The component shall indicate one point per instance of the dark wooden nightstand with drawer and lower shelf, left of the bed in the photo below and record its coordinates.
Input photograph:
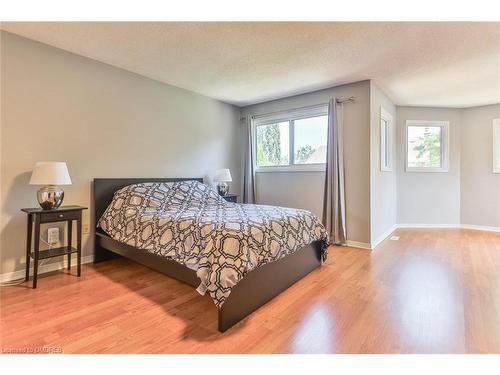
(39, 216)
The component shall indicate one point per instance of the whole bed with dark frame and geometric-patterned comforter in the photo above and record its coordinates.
(132, 215)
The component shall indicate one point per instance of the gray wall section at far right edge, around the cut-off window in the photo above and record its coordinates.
(480, 187)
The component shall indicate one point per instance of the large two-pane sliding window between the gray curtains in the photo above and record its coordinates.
(293, 140)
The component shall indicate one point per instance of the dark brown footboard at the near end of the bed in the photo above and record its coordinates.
(264, 283)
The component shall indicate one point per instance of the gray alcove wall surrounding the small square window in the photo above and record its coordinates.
(429, 198)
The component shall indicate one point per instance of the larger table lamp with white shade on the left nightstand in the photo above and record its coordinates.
(50, 174)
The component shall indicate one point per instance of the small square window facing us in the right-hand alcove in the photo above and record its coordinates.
(426, 146)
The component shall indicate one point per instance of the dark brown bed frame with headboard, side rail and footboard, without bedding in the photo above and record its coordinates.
(254, 290)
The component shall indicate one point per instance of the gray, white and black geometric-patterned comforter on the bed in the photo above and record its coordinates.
(189, 222)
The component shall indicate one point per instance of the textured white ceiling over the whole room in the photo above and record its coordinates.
(418, 64)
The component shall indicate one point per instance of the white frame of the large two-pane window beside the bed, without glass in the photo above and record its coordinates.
(291, 116)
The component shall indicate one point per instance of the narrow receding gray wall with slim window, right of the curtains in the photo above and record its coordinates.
(382, 184)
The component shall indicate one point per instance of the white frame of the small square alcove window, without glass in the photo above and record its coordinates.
(445, 148)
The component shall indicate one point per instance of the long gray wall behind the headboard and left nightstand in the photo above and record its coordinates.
(104, 122)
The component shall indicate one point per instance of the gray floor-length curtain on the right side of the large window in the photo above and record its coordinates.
(334, 199)
